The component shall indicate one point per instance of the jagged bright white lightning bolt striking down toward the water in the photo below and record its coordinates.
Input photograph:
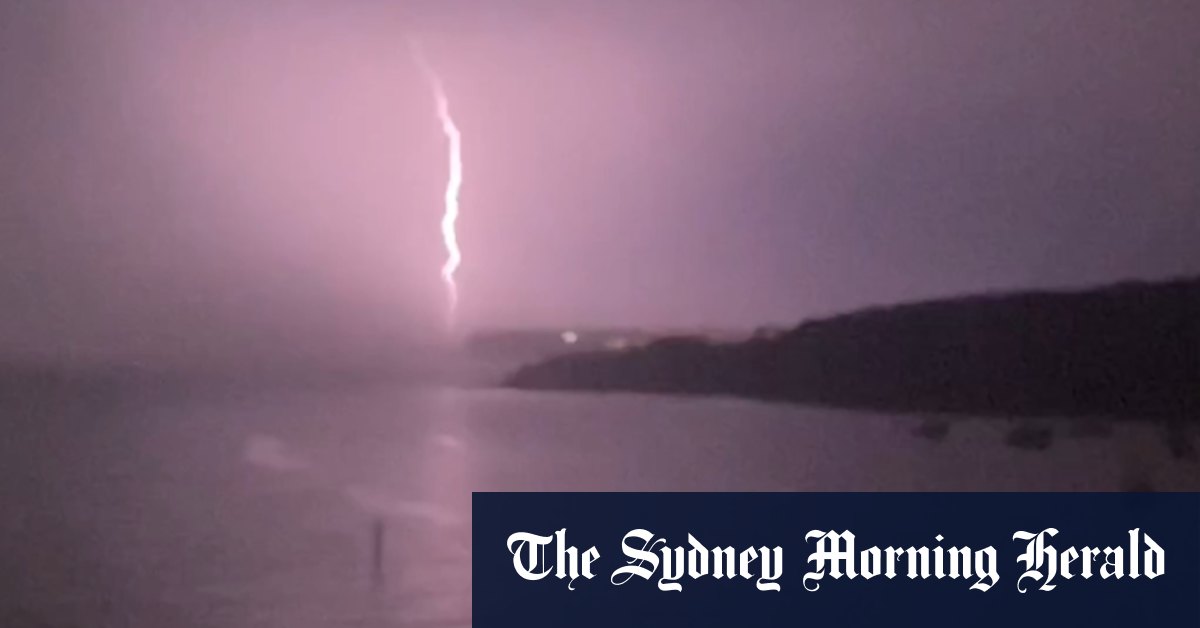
(454, 182)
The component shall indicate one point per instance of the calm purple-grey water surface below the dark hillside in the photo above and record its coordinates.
(255, 510)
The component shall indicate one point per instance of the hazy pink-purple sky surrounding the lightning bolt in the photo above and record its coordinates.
(191, 180)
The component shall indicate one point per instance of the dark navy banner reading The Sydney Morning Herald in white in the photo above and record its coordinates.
(736, 560)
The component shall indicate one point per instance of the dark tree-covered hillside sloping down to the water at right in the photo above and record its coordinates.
(1130, 350)
